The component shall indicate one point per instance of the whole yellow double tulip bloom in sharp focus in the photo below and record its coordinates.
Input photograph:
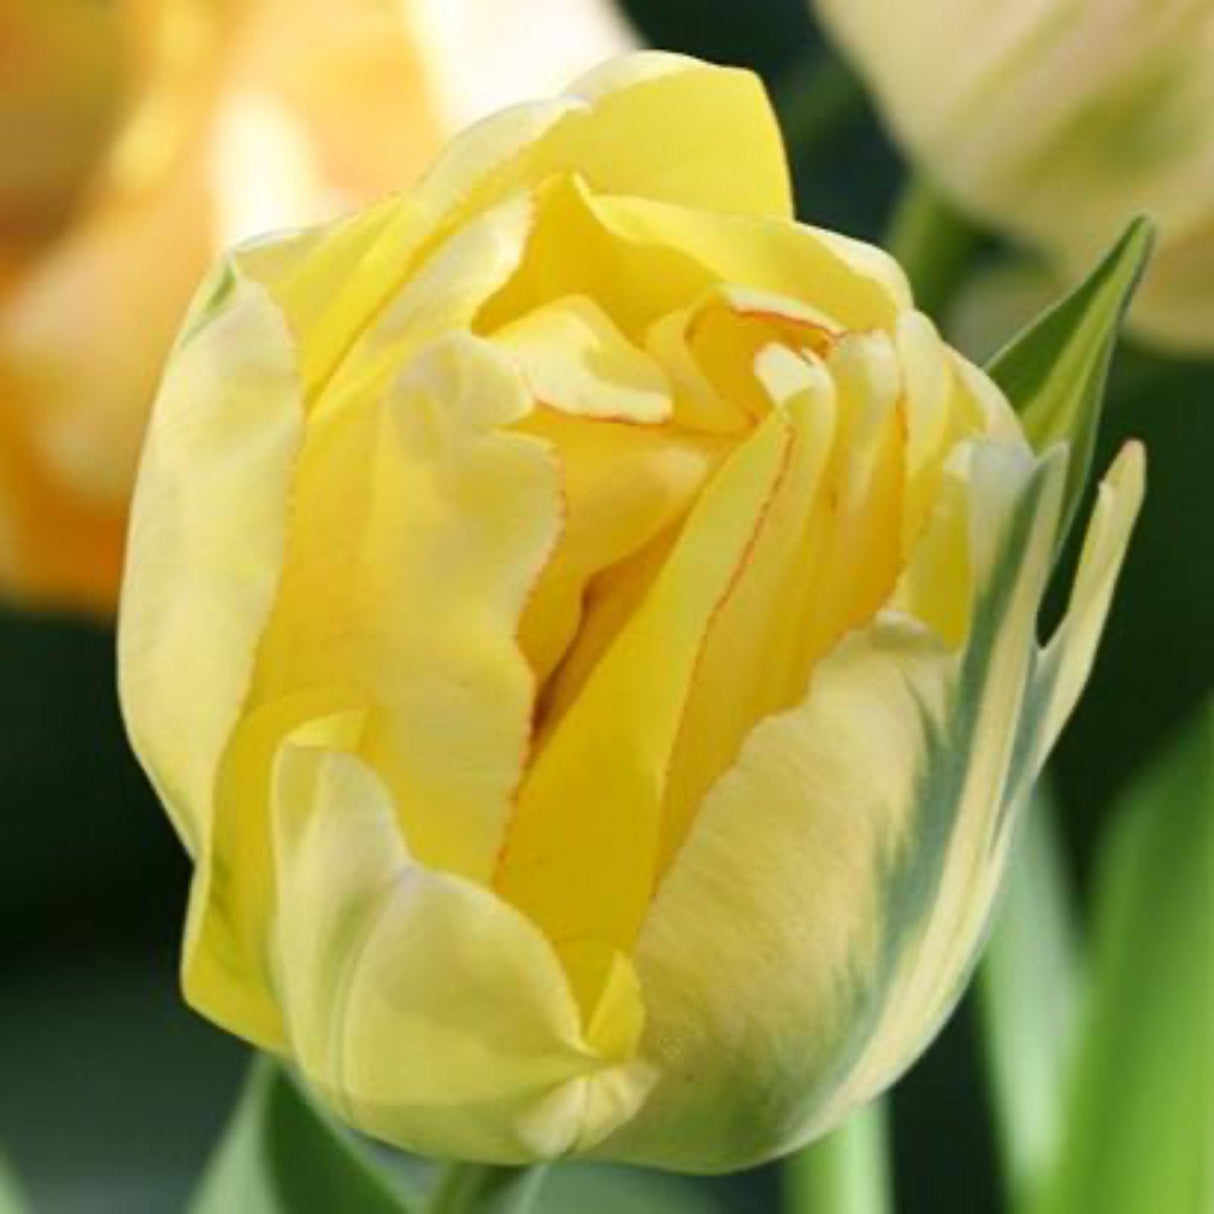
(581, 622)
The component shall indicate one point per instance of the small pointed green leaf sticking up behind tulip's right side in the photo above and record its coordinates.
(1056, 371)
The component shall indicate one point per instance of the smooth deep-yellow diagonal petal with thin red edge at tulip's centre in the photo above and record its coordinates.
(582, 849)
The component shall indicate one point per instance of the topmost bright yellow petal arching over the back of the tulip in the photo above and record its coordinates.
(616, 128)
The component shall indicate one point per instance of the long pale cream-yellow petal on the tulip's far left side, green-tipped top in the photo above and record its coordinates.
(208, 537)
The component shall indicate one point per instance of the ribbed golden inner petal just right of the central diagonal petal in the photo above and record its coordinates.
(825, 560)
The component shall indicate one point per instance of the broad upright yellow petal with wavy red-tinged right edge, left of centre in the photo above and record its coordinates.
(409, 597)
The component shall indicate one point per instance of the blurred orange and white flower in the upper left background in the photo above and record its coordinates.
(137, 140)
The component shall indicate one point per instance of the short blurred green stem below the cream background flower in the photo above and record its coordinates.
(934, 243)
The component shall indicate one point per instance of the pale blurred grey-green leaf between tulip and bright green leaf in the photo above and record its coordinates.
(1030, 985)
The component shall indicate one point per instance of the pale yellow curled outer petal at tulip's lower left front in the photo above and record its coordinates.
(428, 1011)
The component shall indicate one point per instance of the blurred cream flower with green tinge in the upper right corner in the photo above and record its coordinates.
(1058, 121)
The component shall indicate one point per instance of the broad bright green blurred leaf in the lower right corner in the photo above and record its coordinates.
(1141, 1125)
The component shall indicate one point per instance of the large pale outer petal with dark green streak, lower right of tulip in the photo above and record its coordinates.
(842, 872)
